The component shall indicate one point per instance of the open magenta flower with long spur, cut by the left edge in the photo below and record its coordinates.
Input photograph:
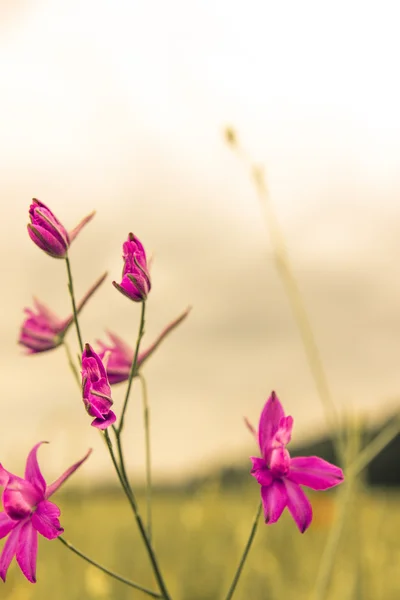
(27, 512)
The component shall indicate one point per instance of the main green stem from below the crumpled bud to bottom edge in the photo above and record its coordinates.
(121, 472)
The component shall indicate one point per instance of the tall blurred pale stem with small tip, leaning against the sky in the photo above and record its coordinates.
(285, 271)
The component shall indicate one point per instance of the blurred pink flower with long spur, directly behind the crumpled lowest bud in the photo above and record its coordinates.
(120, 355)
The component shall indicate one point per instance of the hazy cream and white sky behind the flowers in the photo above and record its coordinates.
(120, 106)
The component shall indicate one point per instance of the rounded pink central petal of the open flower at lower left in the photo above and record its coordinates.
(20, 497)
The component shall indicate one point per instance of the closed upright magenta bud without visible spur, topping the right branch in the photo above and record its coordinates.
(135, 282)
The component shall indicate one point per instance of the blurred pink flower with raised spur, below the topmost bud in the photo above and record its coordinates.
(42, 330)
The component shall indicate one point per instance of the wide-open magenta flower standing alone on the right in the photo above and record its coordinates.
(281, 476)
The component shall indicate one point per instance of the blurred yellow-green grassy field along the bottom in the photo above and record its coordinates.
(199, 539)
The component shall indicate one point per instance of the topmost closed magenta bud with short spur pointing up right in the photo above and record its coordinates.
(46, 231)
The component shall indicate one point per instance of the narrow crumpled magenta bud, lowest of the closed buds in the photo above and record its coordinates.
(96, 391)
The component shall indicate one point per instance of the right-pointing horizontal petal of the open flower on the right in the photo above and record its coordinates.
(314, 472)
